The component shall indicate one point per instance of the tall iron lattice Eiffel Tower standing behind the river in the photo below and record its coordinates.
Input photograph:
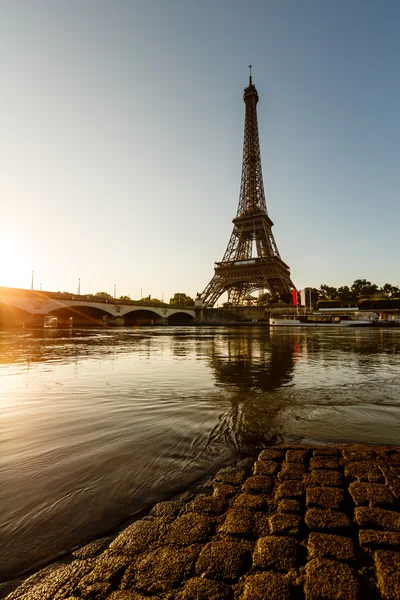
(251, 261)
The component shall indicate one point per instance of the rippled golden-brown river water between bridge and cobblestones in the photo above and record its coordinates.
(97, 425)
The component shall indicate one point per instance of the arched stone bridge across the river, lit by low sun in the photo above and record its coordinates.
(31, 308)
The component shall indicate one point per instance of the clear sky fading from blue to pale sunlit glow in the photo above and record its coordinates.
(122, 129)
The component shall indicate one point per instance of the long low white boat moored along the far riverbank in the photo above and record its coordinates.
(321, 320)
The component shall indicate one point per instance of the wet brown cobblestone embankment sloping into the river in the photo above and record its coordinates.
(298, 522)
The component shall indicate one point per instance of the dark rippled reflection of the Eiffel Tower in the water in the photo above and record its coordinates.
(257, 372)
